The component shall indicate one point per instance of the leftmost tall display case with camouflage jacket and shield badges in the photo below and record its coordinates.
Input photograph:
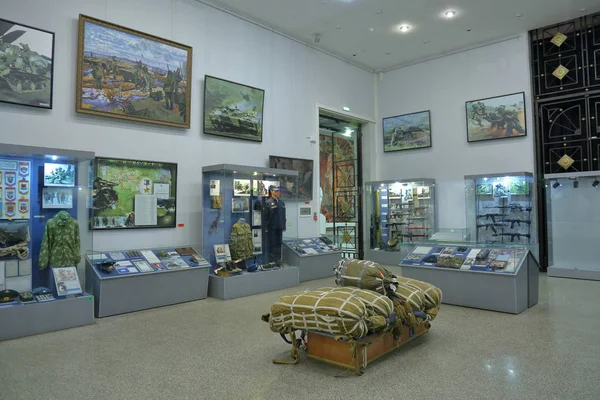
(44, 217)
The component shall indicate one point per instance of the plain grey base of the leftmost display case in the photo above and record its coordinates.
(18, 320)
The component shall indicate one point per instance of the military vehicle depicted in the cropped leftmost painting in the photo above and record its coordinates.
(23, 70)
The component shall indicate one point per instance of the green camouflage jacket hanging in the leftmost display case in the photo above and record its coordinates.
(60, 243)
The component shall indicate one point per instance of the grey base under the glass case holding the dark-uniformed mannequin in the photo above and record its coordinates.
(251, 283)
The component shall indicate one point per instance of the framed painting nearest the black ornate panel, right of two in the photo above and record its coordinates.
(496, 118)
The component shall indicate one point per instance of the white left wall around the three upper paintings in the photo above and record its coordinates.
(294, 77)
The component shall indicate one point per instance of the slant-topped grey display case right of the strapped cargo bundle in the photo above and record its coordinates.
(505, 280)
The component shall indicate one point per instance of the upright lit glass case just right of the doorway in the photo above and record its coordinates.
(400, 211)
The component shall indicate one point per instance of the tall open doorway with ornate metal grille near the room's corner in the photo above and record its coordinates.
(340, 183)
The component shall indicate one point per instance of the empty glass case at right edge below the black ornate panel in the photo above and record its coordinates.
(573, 220)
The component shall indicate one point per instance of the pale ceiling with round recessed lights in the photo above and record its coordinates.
(365, 32)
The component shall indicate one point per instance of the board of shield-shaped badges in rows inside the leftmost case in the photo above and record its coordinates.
(15, 189)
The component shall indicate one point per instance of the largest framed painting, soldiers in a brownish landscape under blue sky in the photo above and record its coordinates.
(127, 74)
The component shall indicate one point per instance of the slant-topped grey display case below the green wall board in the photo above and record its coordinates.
(122, 292)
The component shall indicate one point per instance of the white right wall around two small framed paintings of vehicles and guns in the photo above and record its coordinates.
(442, 86)
